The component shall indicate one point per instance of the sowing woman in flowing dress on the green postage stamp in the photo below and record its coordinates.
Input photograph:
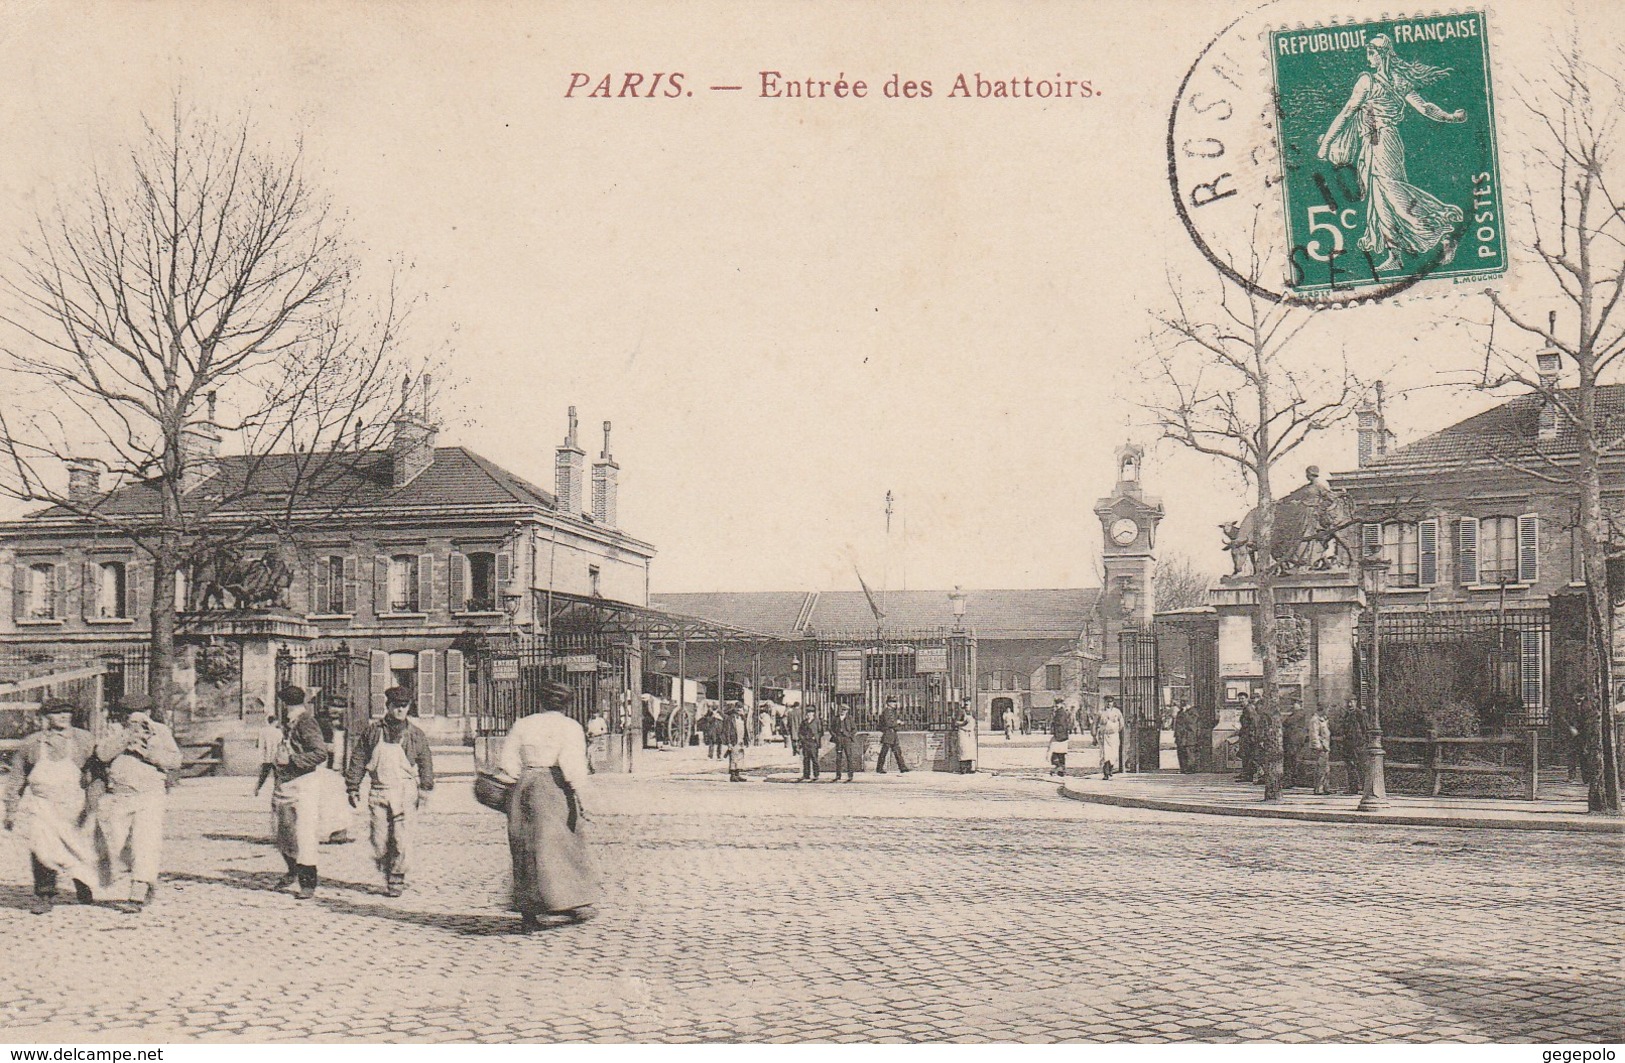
(1366, 136)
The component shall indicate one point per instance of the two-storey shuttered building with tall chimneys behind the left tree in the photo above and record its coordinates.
(407, 560)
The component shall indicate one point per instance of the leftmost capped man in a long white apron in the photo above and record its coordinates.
(45, 801)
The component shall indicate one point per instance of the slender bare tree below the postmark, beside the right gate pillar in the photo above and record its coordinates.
(1221, 383)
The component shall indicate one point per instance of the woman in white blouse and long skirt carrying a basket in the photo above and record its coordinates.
(545, 758)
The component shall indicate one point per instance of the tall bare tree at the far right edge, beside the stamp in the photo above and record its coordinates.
(1579, 223)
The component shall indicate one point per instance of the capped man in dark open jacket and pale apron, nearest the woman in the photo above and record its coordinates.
(394, 755)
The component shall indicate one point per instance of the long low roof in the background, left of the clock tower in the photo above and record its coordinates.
(1059, 614)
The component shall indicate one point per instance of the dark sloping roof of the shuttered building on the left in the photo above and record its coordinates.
(457, 477)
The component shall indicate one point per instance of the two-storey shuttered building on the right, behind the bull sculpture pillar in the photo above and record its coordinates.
(1480, 527)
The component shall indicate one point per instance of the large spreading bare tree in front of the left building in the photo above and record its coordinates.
(196, 293)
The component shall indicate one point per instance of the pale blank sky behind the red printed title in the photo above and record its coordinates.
(787, 308)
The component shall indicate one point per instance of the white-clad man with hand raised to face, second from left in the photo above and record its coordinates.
(139, 755)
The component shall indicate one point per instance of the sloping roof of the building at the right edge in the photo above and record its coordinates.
(1506, 433)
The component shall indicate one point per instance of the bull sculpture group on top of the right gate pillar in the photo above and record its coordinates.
(1312, 534)
